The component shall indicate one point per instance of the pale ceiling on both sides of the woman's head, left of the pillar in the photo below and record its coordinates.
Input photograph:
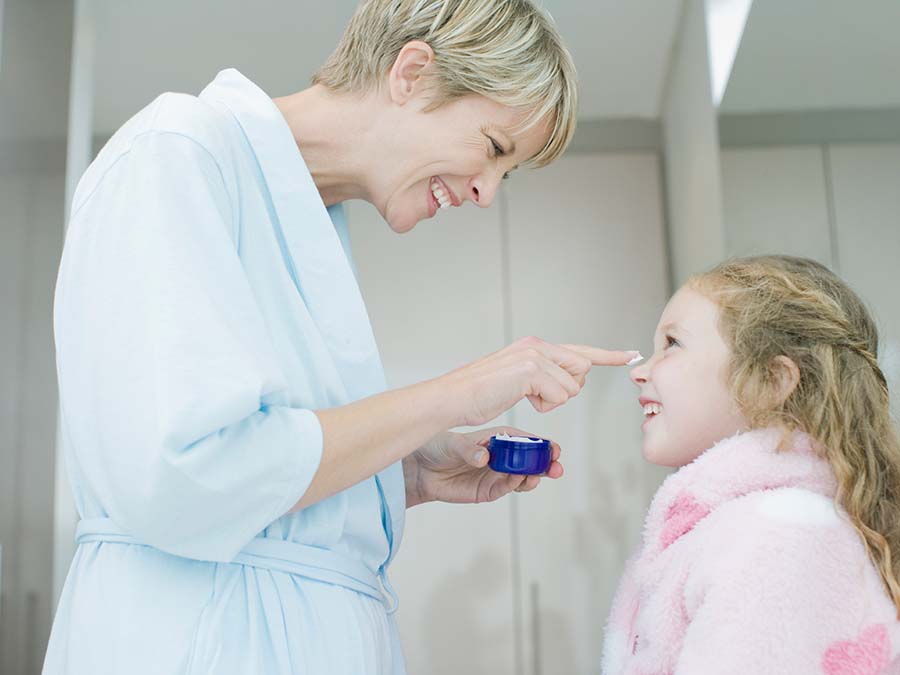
(621, 48)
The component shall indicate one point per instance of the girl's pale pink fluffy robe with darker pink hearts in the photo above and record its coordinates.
(747, 565)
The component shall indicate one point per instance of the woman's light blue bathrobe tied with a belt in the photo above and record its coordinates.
(206, 304)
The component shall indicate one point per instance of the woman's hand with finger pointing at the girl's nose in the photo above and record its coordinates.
(546, 374)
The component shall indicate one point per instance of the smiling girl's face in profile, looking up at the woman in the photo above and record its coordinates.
(683, 387)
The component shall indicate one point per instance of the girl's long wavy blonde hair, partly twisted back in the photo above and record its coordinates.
(773, 306)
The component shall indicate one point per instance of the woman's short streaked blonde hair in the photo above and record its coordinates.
(506, 50)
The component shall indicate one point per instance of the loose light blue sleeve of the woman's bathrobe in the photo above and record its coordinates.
(173, 399)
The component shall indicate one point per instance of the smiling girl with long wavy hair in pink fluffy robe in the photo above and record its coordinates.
(775, 548)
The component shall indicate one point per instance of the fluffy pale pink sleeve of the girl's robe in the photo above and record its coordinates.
(772, 595)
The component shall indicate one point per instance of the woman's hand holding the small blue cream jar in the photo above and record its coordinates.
(453, 467)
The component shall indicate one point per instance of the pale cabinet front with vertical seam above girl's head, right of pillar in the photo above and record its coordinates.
(839, 204)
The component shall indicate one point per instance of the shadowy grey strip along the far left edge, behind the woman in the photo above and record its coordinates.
(33, 95)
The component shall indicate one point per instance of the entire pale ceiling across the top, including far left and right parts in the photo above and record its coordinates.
(794, 55)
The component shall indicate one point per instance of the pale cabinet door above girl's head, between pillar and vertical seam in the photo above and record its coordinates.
(774, 201)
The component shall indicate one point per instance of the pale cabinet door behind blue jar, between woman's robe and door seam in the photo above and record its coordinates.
(434, 298)
